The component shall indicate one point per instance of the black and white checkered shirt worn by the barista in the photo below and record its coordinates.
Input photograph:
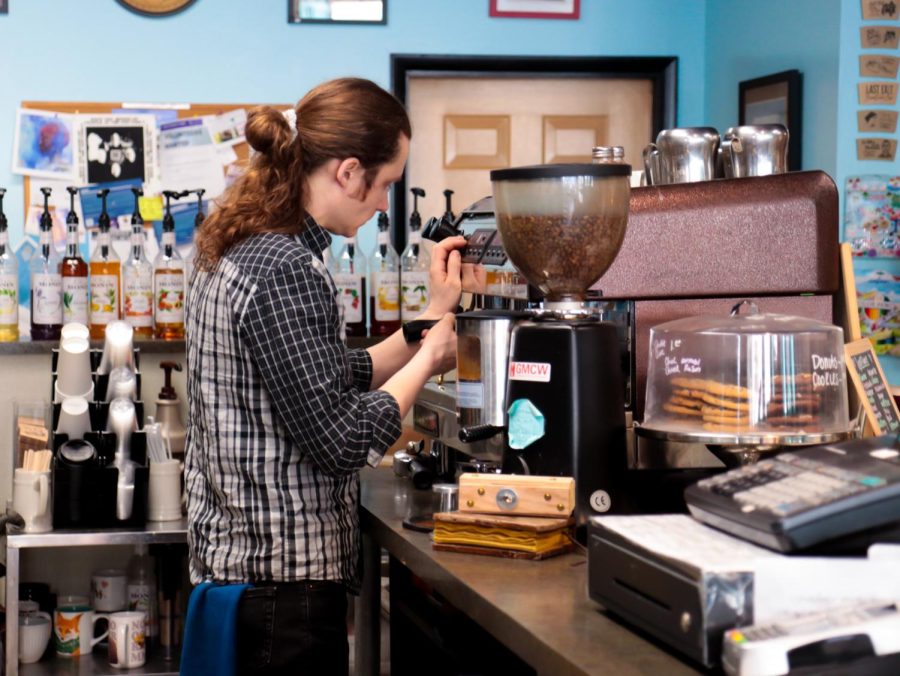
(281, 417)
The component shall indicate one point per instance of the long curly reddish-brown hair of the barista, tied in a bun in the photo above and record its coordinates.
(347, 117)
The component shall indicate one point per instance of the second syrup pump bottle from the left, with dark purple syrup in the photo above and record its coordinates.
(46, 283)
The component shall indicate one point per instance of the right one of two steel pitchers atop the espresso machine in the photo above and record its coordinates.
(755, 150)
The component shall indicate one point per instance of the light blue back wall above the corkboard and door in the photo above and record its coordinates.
(243, 51)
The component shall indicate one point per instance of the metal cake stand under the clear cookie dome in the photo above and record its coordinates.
(744, 448)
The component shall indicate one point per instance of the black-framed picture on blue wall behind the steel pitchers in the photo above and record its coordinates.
(775, 99)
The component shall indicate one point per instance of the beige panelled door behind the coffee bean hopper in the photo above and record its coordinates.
(626, 105)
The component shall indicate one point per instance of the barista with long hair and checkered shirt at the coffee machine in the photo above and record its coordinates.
(282, 414)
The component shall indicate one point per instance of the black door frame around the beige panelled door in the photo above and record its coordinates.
(662, 71)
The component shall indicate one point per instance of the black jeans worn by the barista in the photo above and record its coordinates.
(293, 628)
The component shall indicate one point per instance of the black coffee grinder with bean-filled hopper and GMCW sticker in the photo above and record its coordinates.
(549, 378)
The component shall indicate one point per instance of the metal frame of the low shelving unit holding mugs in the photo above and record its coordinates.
(161, 532)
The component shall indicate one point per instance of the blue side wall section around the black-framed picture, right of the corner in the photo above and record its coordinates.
(746, 39)
